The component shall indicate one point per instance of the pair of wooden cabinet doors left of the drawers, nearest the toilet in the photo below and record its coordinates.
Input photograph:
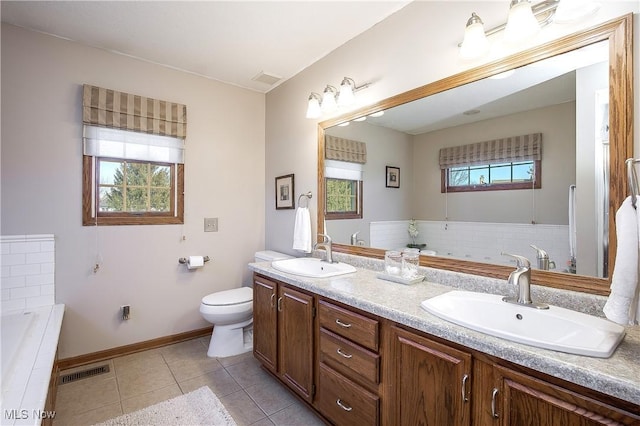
(283, 335)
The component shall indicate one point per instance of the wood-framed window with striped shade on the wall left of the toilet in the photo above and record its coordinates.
(133, 164)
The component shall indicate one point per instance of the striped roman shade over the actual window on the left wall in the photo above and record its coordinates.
(110, 108)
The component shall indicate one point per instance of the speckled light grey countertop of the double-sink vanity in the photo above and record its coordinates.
(618, 376)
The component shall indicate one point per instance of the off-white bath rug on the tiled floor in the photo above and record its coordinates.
(200, 407)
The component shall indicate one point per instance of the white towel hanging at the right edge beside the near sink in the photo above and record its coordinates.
(622, 305)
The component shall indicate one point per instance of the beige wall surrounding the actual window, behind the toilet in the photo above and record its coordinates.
(42, 81)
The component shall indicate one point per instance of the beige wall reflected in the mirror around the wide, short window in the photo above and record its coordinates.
(550, 206)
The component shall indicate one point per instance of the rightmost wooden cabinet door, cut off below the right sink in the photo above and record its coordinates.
(526, 401)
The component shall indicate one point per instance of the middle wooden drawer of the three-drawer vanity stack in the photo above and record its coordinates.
(348, 358)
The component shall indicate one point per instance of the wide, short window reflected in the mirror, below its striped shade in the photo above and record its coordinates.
(492, 177)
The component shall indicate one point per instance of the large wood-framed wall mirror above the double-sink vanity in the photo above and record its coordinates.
(575, 93)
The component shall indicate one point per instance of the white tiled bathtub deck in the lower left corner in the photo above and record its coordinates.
(24, 392)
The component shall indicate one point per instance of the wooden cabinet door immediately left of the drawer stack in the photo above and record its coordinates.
(295, 344)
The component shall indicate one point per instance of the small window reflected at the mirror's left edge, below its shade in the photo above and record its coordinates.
(343, 199)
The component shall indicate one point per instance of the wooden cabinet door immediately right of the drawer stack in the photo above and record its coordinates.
(431, 382)
